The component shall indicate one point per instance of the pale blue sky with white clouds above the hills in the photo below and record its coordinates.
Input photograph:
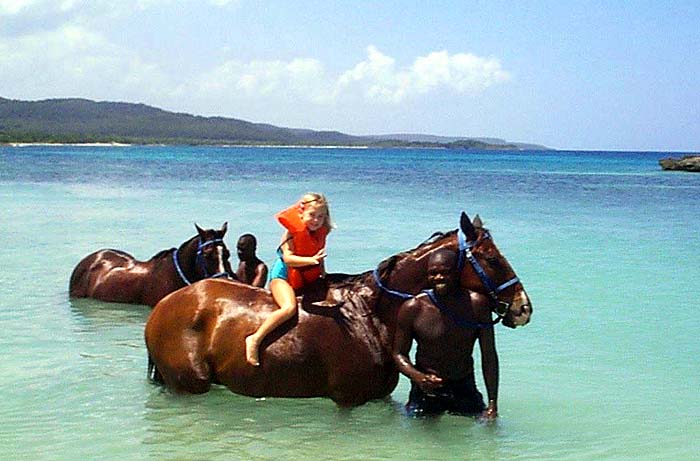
(614, 75)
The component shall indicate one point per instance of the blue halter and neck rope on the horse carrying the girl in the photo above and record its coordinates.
(465, 253)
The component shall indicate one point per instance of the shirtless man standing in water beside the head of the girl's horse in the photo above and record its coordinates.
(446, 326)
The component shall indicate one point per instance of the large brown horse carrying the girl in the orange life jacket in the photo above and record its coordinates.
(195, 336)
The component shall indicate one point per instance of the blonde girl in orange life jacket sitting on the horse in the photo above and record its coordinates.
(300, 262)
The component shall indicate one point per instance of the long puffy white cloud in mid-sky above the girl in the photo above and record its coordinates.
(376, 79)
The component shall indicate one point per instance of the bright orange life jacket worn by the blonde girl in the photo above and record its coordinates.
(306, 243)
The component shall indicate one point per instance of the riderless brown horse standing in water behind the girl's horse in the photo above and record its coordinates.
(115, 276)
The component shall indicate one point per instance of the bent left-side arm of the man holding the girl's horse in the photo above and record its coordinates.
(403, 339)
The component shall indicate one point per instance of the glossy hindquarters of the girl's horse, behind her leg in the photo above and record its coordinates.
(200, 329)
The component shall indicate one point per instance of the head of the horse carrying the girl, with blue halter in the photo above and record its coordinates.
(485, 270)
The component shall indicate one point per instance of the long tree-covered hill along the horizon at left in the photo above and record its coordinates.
(83, 121)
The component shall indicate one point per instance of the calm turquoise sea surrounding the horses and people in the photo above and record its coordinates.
(607, 246)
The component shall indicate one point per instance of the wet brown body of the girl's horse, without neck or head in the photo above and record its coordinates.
(196, 337)
